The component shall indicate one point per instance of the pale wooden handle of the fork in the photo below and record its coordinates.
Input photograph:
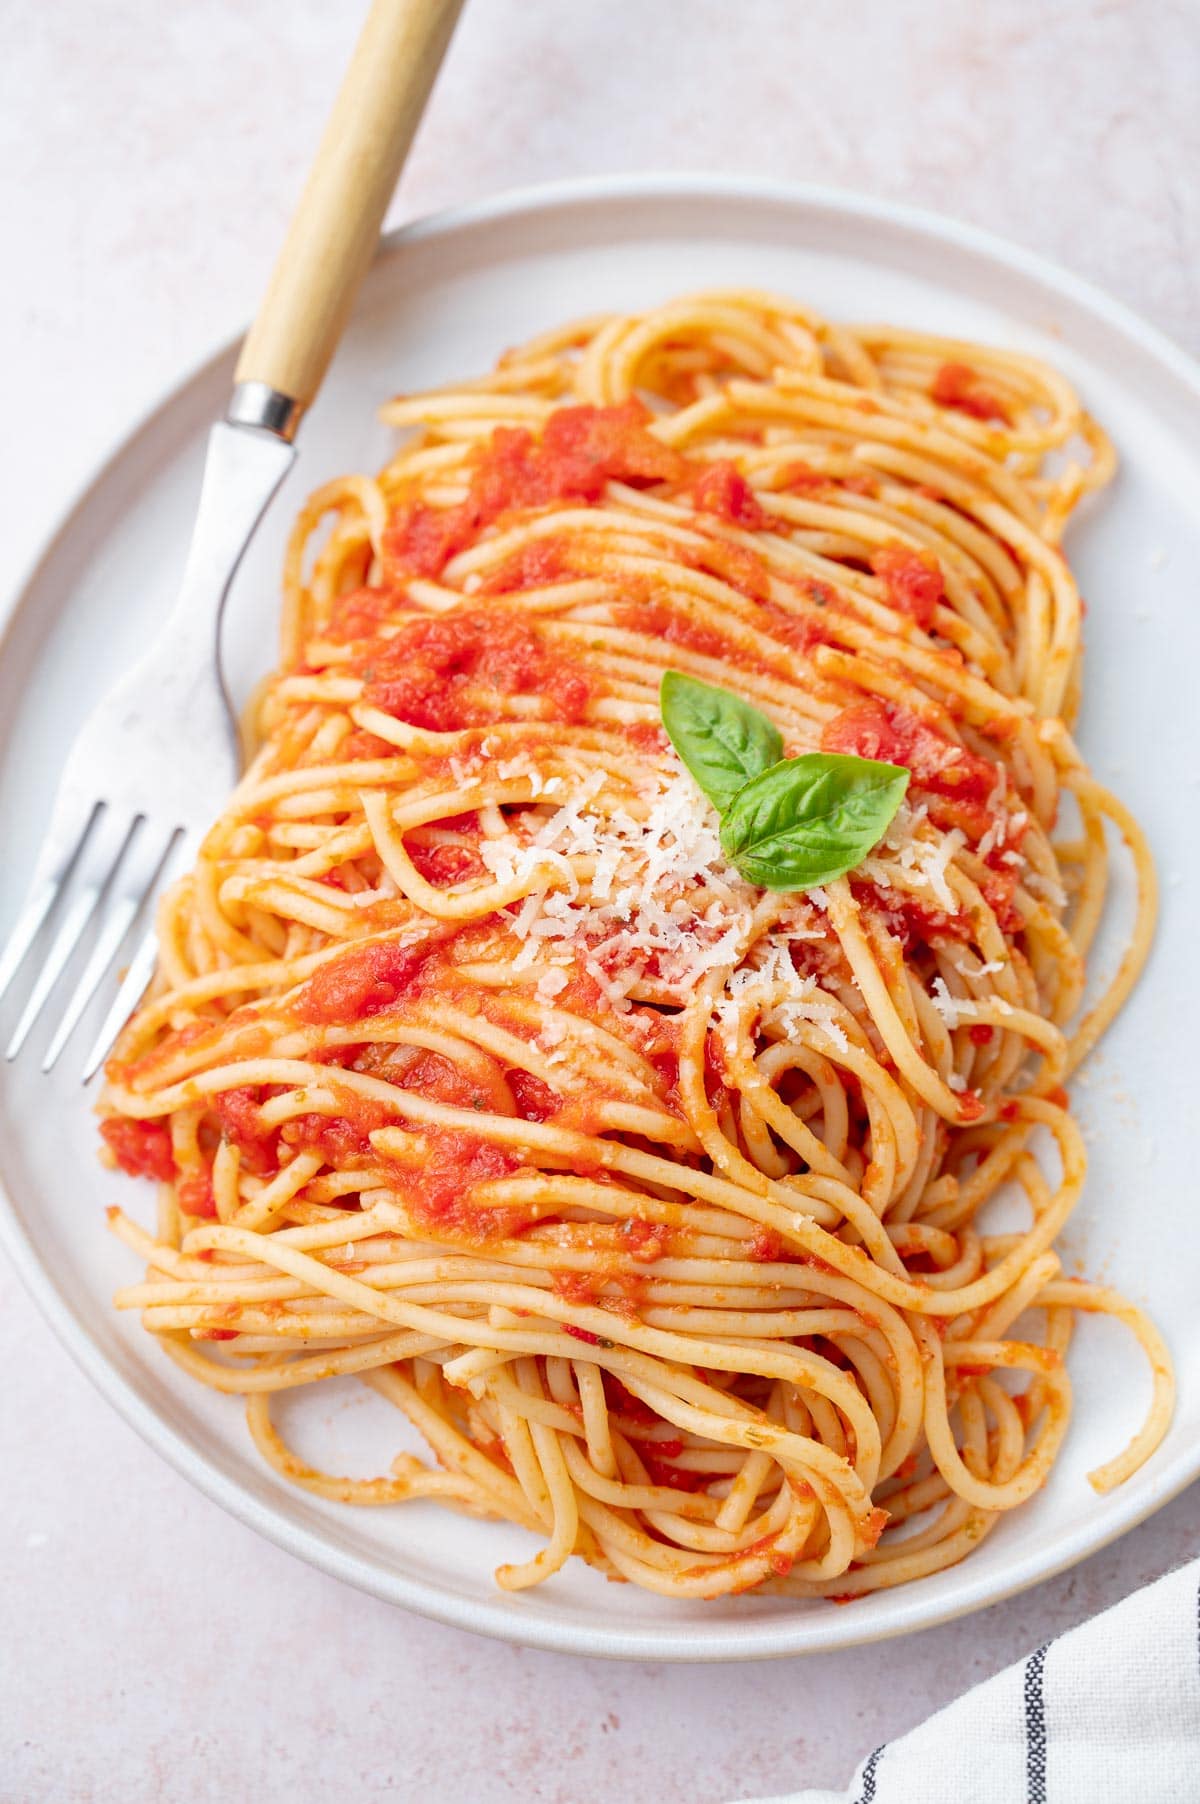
(335, 230)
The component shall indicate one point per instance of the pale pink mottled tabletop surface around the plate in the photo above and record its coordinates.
(156, 1650)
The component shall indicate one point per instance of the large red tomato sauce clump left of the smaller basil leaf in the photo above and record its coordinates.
(450, 672)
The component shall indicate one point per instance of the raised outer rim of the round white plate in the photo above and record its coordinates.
(771, 1637)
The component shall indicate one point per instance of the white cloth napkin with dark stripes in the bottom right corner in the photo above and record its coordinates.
(1105, 1715)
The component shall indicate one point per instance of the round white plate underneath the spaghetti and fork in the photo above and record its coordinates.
(443, 300)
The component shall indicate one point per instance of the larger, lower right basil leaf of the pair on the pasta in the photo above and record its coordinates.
(811, 820)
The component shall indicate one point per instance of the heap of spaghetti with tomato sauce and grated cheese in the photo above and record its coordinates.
(475, 1071)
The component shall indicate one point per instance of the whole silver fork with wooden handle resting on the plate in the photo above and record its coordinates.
(160, 755)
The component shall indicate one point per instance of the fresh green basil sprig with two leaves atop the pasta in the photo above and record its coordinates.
(788, 824)
